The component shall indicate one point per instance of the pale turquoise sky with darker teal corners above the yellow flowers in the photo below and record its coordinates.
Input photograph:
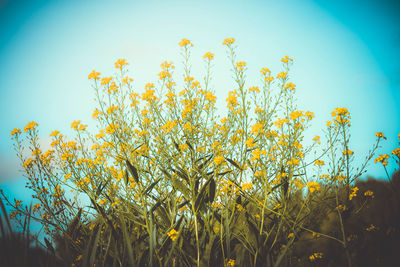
(345, 55)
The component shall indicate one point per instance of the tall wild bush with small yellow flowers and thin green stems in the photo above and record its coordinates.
(167, 181)
